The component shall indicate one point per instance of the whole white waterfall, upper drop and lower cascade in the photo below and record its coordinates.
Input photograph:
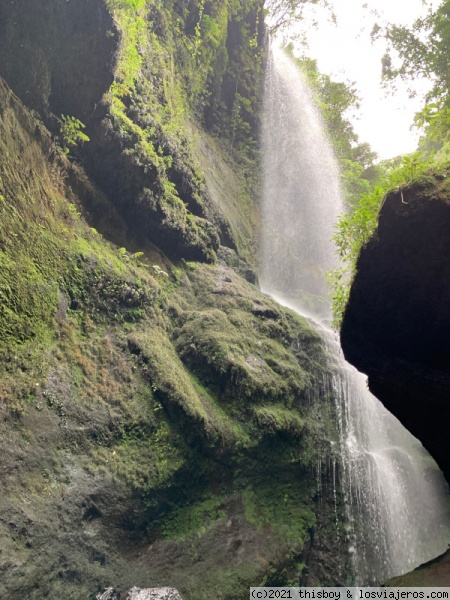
(396, 499)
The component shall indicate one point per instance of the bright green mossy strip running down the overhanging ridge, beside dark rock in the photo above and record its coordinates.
(155, 128)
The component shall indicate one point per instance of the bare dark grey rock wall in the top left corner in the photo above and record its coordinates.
(58, 55)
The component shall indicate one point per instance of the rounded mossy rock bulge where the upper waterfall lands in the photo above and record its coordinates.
(240, 356)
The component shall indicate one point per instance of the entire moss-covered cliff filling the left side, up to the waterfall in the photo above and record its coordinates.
(157, 422)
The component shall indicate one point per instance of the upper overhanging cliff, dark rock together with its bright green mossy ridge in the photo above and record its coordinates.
(75, 59)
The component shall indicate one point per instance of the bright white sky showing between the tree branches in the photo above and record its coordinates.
(345, 52)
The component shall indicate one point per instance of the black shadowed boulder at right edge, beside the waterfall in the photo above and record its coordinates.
(397, 324)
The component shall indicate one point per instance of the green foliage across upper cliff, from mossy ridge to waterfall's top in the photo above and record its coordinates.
(171, 70)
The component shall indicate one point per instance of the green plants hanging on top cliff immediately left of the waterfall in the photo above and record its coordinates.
(228, 81)
